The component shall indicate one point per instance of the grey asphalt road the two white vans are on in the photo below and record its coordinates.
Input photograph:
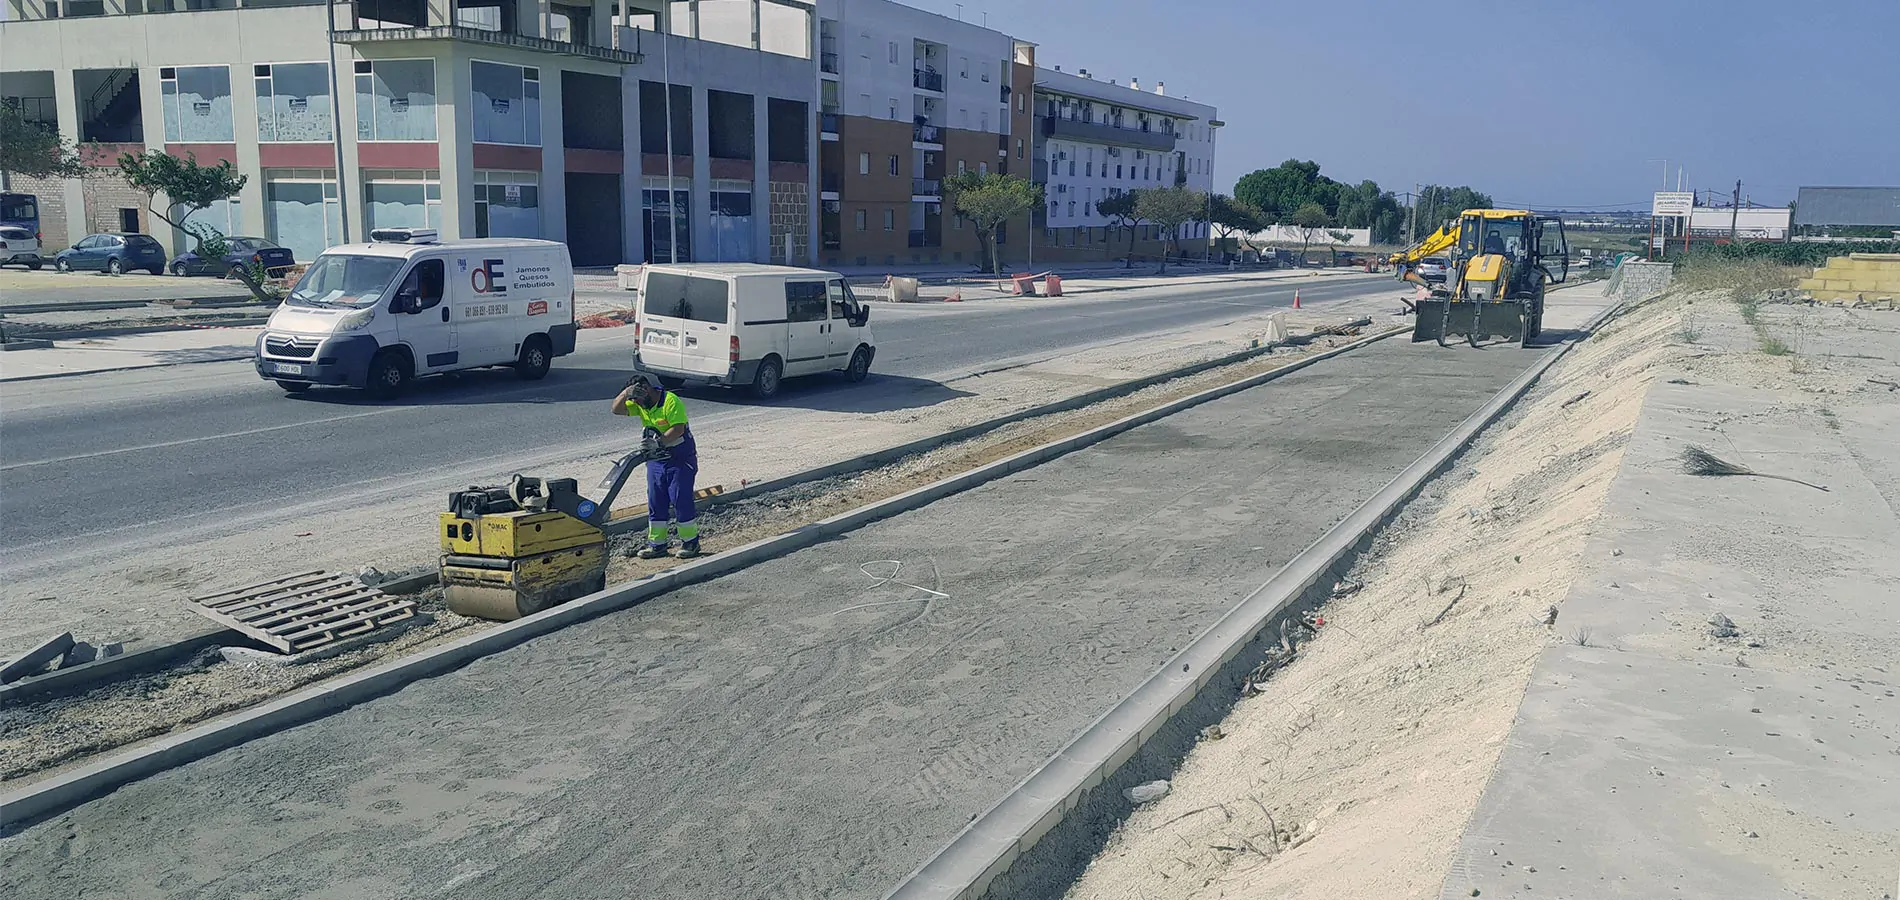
(94, 464)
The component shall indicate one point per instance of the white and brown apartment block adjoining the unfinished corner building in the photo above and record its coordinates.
(907, 100)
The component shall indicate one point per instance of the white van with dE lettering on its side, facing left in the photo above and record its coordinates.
(379, 314)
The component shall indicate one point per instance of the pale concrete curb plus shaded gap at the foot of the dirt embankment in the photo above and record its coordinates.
(1076, 797)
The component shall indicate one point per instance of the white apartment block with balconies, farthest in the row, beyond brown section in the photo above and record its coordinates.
(1097, 140)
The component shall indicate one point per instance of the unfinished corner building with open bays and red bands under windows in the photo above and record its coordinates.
(480, 119)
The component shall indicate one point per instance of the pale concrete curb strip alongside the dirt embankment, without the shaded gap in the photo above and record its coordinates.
(987, 848)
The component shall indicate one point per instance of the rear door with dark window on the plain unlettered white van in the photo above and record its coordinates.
(685, 324)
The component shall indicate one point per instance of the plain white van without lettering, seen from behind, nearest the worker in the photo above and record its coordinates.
(748, 326)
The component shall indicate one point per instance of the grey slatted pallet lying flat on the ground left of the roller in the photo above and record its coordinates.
(305, 612)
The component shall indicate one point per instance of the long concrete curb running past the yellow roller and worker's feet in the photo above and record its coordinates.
(71, 789)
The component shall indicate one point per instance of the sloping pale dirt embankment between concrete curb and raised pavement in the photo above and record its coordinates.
(1356, 770)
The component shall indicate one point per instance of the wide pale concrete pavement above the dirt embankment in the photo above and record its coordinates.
(1720, 717)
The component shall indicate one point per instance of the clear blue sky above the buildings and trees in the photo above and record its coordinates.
(1532, 102)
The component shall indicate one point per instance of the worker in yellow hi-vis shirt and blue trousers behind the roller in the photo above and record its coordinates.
(670, 483)
